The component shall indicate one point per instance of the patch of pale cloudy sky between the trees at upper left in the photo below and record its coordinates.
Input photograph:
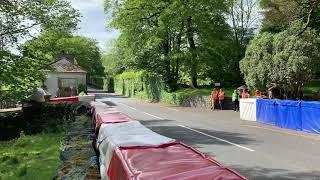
(93, 21)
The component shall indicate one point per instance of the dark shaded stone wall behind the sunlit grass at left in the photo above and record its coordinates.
(39, 117)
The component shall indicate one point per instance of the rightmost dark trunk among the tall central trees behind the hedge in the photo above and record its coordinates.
(194, 65)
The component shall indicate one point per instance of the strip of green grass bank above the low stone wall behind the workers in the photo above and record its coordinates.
(203, 91)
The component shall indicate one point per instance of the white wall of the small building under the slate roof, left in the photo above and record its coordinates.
(52, 80)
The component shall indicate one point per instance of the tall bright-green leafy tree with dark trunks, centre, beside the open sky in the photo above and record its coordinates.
(168, 36)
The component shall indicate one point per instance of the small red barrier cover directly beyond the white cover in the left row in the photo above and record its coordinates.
(111, 117)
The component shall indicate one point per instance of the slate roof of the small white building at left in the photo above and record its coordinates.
(65, 64)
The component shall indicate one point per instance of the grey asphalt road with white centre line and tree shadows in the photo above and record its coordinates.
(254, 150)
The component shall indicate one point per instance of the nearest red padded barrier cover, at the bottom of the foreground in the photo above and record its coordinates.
(172, 161)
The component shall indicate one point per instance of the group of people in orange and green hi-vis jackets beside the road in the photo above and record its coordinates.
(220, 96)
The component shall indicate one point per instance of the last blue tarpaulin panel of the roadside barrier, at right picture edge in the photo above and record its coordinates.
(310, 116)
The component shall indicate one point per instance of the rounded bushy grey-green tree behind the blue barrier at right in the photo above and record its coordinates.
(285, 58)
